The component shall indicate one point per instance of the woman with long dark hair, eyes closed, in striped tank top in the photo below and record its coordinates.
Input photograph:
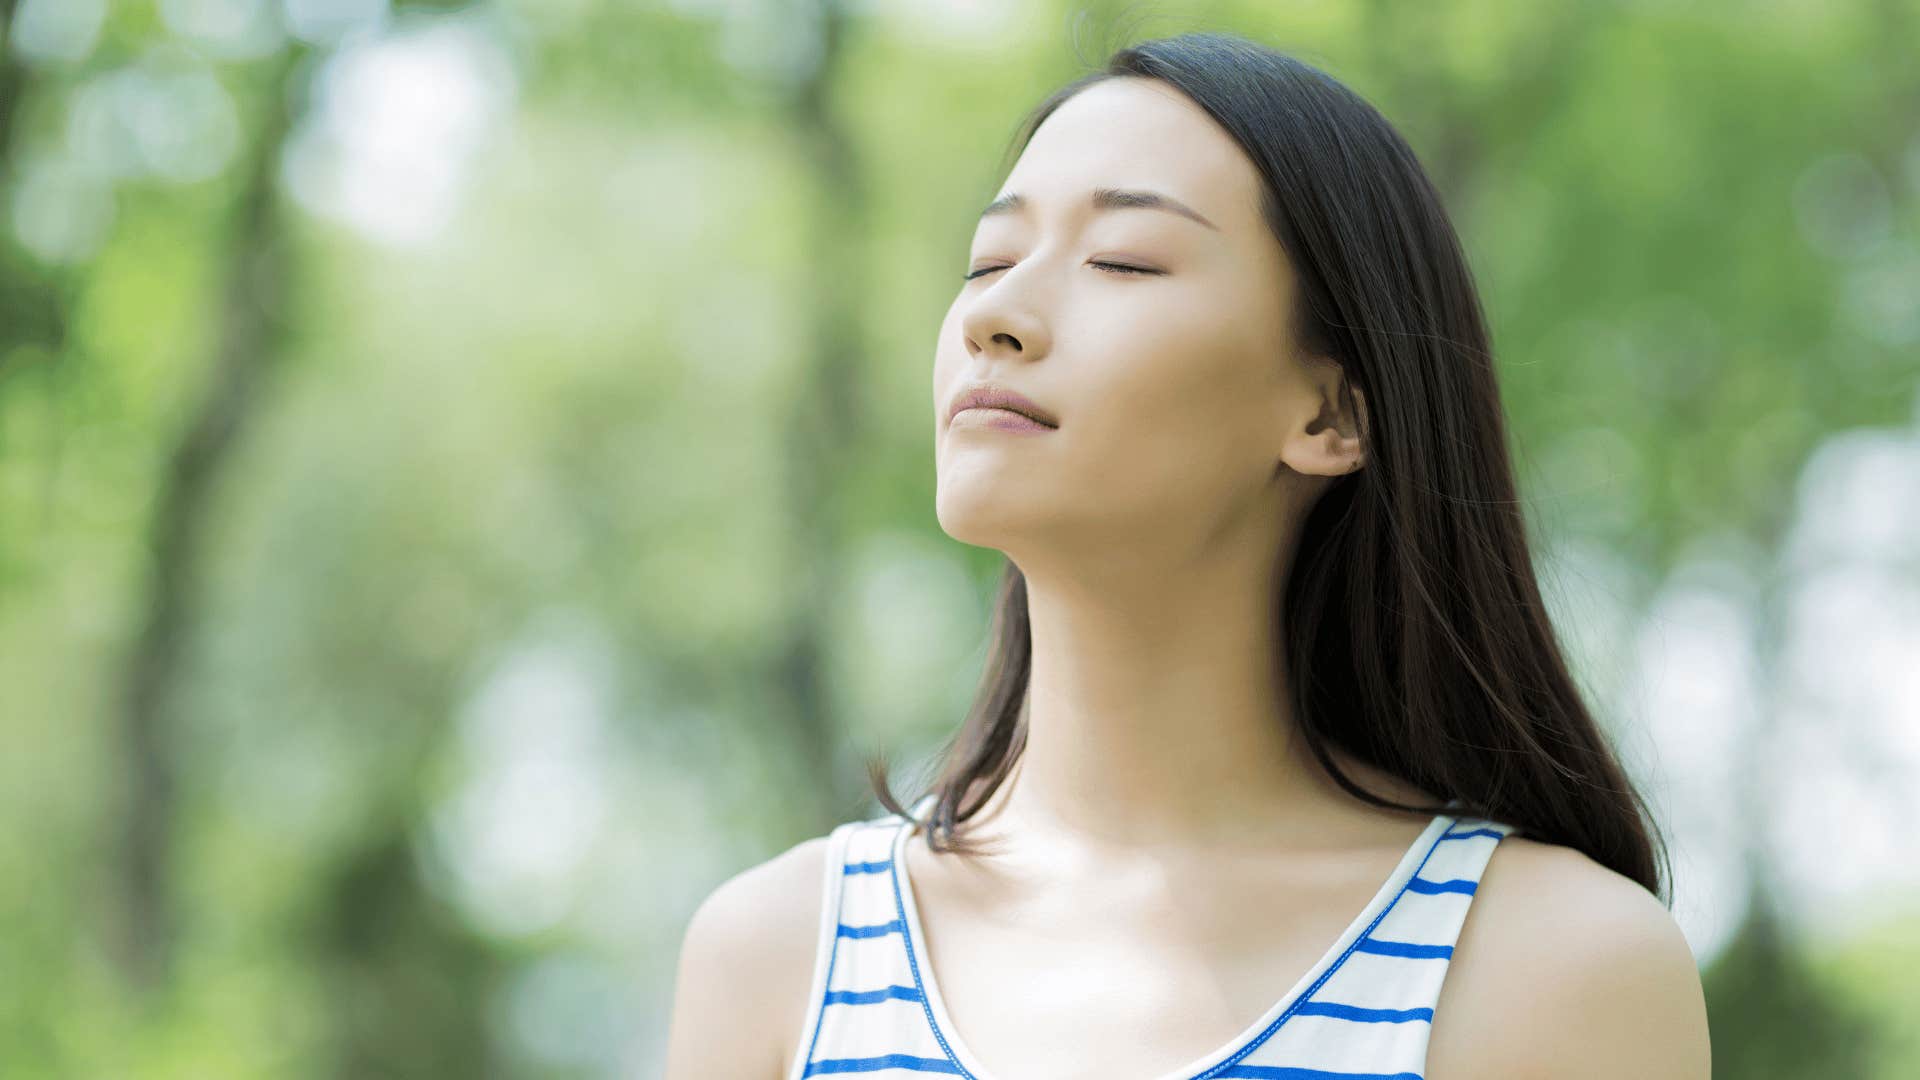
(1274, 693)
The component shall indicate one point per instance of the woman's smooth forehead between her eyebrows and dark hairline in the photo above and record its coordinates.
(1138, 134)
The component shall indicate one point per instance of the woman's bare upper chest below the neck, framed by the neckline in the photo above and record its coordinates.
(1095, 989)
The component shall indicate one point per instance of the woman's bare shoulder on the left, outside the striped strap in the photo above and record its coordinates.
(746, 970)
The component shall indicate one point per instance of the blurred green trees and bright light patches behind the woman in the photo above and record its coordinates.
(466, 481)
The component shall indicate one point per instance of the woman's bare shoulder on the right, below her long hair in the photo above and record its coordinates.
(1568, 971)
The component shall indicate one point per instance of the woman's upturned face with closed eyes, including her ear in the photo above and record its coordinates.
(1176, 391)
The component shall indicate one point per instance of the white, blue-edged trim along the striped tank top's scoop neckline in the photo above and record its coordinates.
(1257, 1033)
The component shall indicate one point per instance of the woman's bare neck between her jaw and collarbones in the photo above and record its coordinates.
(1159, 716)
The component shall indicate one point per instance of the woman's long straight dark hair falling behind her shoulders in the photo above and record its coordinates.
(1414, 624)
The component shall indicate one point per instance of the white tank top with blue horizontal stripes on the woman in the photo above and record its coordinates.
(1362, 1014)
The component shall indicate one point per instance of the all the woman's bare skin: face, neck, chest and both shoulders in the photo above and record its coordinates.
(1155, 528)
